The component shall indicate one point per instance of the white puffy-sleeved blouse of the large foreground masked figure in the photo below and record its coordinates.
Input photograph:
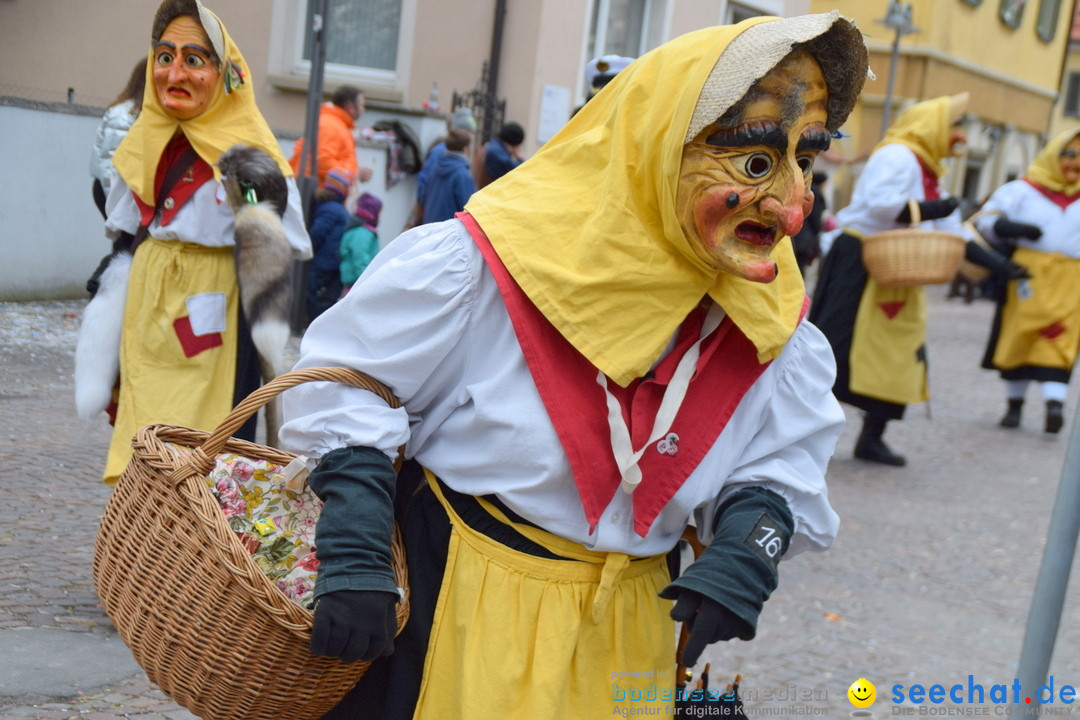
(428, 320)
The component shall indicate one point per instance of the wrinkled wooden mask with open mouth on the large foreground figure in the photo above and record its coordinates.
(746, 180)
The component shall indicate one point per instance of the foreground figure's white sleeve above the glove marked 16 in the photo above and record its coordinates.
(790, 450)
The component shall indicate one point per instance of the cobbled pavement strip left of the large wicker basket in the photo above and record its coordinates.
(60, 657)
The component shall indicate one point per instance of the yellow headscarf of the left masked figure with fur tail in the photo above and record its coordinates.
(232, 118)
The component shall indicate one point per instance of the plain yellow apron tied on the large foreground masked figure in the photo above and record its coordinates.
(520, 636)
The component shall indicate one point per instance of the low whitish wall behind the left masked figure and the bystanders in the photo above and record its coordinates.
(51, 234)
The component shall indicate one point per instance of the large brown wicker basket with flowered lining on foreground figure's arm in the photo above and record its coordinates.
(208, 627)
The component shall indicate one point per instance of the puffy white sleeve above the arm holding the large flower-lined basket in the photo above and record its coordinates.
(402, 323)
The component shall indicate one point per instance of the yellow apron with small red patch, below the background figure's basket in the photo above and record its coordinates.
(890, 329)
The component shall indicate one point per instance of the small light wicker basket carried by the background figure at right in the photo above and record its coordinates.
(912, 256)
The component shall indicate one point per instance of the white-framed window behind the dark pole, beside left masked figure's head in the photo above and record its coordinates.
(369, 43)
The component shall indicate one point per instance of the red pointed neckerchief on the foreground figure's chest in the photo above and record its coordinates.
(577, 406)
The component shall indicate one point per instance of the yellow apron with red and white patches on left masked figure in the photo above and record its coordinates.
(158, 383)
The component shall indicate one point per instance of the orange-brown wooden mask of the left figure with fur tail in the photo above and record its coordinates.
(185, 75)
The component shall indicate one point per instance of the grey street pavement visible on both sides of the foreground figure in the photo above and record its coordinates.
(929, 581)
